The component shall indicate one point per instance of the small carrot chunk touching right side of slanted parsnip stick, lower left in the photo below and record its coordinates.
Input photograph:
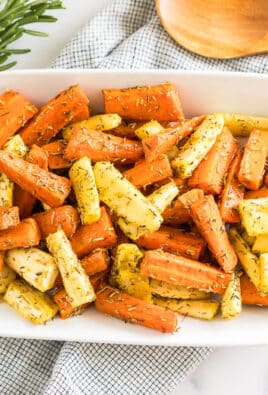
(96, 262)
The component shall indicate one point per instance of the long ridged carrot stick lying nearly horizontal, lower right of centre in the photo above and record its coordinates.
(175, 269)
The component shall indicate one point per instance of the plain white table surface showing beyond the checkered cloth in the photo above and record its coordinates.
(241, 370)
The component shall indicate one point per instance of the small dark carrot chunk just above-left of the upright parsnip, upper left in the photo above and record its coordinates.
(55, 152)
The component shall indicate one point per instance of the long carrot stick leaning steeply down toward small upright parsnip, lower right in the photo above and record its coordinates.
(206, 216)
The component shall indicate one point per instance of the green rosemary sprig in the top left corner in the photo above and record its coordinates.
(14, 15)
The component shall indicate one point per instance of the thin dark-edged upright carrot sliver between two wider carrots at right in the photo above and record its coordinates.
(232, 193)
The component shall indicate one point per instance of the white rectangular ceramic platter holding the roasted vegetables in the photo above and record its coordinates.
(200, 93)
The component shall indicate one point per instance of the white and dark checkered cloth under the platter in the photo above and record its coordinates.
(127, 34)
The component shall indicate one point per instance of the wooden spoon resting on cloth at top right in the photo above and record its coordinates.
(217, 28)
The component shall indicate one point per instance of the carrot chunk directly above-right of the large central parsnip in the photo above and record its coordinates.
(145, 173)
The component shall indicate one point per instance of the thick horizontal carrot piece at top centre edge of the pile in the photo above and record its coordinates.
(159, 102)
